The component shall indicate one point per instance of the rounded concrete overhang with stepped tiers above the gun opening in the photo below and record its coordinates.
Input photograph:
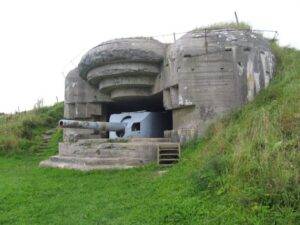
(123, 68)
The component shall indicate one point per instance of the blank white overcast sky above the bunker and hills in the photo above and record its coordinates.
(39, 38)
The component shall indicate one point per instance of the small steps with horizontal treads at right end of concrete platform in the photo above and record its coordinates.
(168, 153)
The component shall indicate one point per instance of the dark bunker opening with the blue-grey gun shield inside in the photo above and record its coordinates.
(143, 117)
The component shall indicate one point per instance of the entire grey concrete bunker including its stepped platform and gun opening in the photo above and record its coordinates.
(163, 94)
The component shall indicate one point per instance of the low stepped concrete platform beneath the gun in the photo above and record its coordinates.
(92, 154)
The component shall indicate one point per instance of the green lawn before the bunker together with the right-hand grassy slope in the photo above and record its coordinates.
(244, 171)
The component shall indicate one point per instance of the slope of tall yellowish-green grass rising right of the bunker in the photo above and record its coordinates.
(253, 155)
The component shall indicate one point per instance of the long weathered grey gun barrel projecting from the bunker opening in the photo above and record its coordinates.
(98, 126)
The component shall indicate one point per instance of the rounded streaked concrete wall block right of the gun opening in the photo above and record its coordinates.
(207, 74)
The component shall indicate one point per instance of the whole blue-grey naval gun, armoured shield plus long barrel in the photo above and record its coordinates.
(126, 125)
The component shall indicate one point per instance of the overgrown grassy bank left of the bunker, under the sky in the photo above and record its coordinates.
(22, 132)
